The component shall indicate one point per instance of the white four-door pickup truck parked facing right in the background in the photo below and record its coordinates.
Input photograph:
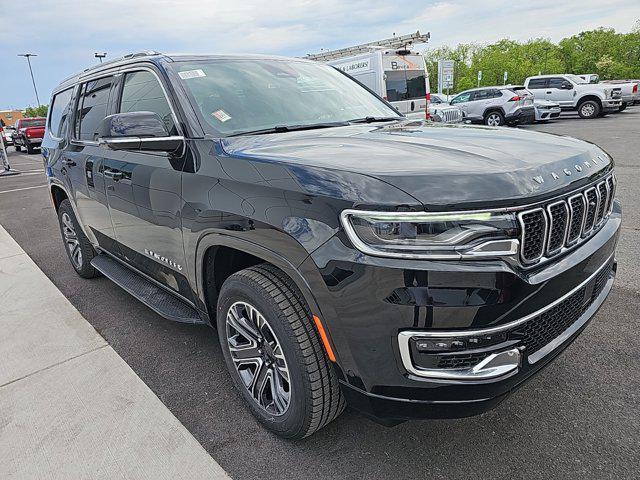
(572, 92)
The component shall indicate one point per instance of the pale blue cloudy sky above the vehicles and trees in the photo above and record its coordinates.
(66, 33)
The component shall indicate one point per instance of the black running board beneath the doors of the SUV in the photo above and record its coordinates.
(157, 299)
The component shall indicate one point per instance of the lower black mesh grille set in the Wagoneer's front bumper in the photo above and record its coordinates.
(542, 329)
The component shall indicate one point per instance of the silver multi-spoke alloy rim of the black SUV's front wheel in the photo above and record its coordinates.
(258, 357)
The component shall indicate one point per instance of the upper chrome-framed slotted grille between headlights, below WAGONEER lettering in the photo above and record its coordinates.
(546, 231)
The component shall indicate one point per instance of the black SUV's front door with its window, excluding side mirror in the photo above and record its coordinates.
(144, 188)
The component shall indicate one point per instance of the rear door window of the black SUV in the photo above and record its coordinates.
(92, 108)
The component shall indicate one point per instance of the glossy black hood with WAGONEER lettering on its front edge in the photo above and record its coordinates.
(440, 165)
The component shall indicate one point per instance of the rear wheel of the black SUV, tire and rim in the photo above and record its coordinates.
(77, 245)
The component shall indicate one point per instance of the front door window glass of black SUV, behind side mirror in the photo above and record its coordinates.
(143, 93)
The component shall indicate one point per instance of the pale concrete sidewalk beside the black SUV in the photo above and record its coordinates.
(70, 407)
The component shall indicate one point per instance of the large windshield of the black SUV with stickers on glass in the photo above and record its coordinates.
(236, 96)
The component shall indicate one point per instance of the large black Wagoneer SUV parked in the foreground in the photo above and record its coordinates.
(345, 253)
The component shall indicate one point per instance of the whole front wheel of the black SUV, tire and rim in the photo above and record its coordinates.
(311, 398)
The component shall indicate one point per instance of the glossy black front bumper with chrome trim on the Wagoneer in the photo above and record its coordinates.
(376, 310)
